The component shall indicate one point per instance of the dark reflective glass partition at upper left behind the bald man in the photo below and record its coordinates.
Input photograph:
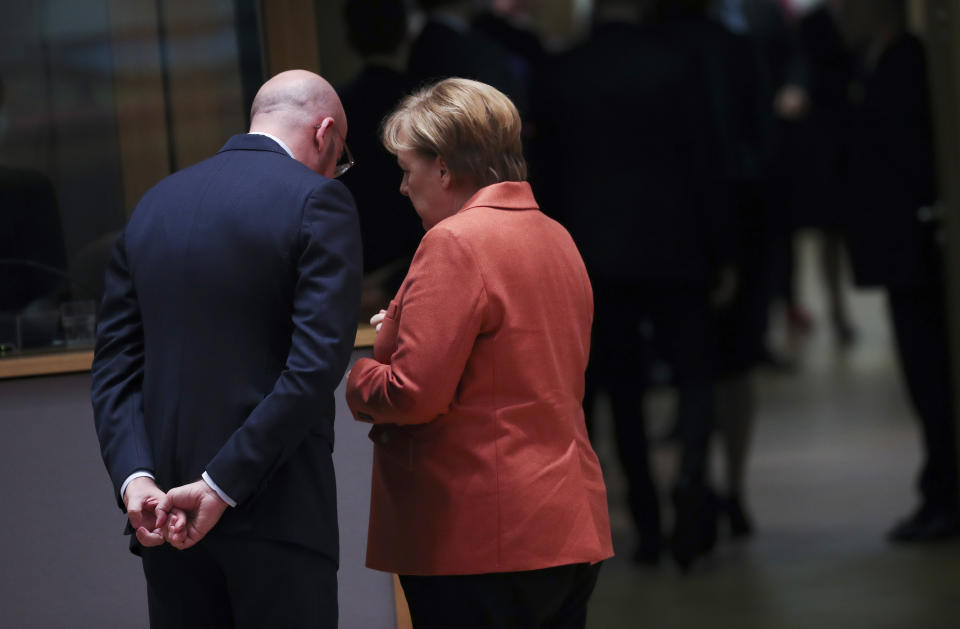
(99, 99)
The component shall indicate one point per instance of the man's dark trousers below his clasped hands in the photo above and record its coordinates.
(230, 582)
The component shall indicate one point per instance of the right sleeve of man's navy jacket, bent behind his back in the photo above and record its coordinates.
(325, 310)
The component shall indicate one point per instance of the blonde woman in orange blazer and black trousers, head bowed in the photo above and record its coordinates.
(488, 499)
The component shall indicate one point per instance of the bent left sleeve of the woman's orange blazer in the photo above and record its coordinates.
(442, 312)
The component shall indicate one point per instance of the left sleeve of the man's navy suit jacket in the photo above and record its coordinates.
(117, 375)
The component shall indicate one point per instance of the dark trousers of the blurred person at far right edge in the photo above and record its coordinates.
(920, 328)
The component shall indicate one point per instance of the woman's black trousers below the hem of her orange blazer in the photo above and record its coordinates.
(552, 598)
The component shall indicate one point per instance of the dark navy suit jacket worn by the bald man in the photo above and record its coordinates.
(227, 322)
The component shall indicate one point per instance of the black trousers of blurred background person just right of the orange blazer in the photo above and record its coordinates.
(634, 325)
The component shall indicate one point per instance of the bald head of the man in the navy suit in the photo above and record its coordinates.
(302, 109)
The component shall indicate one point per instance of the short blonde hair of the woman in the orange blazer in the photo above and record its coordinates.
(475, 128)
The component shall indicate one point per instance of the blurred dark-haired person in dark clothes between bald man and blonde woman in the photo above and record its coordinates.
(390, 229)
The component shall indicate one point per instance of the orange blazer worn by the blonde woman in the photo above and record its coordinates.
(482, 461)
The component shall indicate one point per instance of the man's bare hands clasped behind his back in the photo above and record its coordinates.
(181, 517)
